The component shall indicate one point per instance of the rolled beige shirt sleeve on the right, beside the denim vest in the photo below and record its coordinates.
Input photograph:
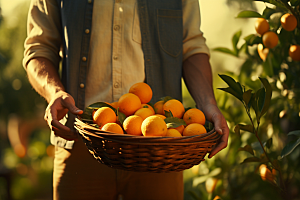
(193, 39)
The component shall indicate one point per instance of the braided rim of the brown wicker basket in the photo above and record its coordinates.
(86, 129)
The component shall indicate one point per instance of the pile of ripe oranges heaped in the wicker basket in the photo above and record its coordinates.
(166, 117)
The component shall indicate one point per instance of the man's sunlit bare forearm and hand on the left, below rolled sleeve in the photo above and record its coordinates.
(44, 78)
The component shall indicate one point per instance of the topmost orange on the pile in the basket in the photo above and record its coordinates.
(142, 90)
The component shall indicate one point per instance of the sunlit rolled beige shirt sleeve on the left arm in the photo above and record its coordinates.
(43, 32)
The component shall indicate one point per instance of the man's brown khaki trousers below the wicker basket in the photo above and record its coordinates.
(78, 175)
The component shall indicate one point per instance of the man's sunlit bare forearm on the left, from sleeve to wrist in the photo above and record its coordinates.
(44, 78)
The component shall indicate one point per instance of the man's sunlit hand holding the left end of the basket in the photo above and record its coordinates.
(58, 107)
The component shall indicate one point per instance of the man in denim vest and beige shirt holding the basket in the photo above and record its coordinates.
(107, 46)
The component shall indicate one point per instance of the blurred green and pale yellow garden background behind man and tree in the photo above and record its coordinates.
(26, 156)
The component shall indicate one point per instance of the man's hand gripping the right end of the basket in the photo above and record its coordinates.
(214, 115)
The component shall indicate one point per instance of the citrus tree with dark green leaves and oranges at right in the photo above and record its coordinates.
(268, 87)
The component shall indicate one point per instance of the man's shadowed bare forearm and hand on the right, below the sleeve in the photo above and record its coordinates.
(197, 75)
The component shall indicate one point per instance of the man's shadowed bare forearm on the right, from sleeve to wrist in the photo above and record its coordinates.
(197, 75)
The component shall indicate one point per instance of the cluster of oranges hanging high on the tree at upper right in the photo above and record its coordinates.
(270, 39)
